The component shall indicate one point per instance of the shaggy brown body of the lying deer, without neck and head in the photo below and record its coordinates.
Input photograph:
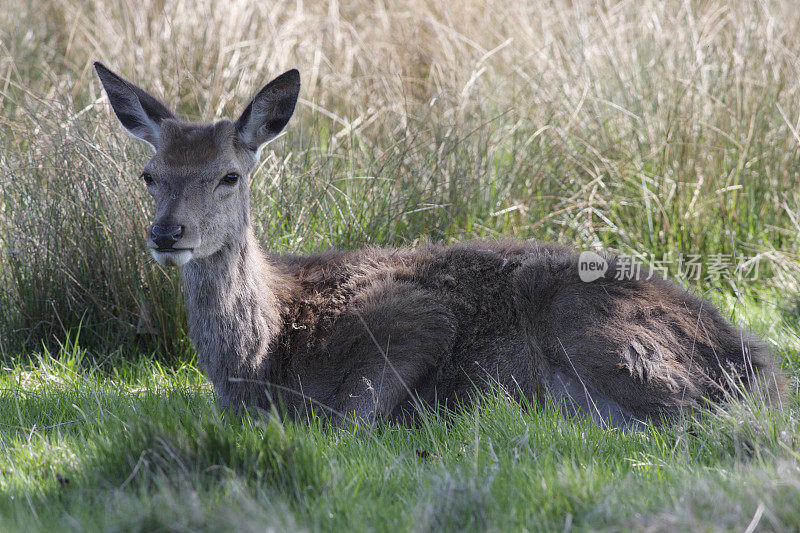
(365, 329)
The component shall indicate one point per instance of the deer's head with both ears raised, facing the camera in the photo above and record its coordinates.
(197, 175)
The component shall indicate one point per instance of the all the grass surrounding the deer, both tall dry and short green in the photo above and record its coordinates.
(661, 130)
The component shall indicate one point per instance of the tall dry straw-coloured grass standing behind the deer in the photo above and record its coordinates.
(643, 127)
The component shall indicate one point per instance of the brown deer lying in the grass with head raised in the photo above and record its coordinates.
(377, 332)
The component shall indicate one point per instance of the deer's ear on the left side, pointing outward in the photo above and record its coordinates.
(138, 111)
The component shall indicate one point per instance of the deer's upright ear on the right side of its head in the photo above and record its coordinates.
(270, 110)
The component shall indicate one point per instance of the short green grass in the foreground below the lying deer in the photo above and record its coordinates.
(136, 446)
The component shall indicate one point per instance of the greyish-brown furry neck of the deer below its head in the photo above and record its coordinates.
(234, 307)
